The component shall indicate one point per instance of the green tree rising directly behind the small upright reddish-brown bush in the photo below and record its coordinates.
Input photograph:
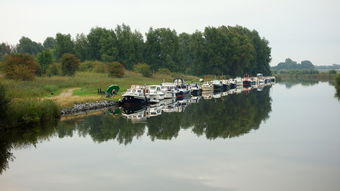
(64, 44)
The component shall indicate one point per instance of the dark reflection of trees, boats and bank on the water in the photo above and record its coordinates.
(220, 115)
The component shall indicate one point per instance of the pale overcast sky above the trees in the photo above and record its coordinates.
(298, 29)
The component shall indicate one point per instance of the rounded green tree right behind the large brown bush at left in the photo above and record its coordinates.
(28, 46)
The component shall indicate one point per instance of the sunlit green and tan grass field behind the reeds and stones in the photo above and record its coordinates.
(86, 83)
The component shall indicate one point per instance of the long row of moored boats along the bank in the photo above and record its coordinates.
(150, 94)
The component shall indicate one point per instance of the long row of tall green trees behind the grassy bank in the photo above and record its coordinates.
(224, 50)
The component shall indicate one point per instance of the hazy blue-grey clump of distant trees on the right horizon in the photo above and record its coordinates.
(290, 64)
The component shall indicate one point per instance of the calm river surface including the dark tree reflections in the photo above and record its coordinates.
(282, 138)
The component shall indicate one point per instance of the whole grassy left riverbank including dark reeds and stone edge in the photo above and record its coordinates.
(27, 103)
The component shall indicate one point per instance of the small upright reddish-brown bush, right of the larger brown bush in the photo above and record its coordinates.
(69, 64)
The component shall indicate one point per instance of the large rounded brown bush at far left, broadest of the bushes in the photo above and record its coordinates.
(20, 67)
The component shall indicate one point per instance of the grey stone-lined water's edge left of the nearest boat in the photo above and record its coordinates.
(84, 107)
